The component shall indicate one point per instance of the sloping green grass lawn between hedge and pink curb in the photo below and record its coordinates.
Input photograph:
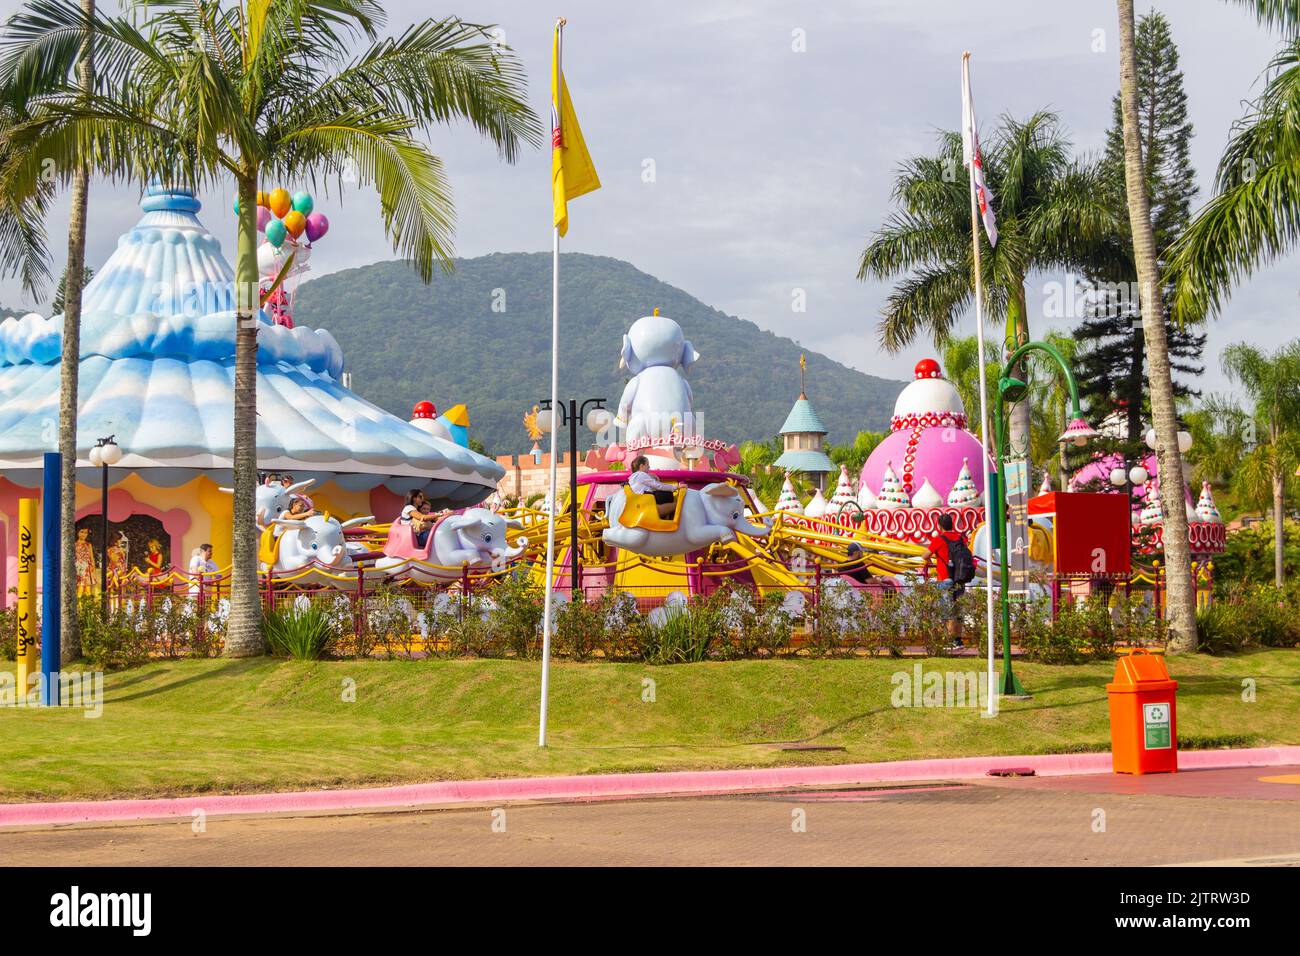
(223, 726)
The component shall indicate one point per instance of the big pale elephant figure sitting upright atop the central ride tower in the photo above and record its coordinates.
(658, 399)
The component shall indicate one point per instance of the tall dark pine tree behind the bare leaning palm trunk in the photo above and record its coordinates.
(1112, 362)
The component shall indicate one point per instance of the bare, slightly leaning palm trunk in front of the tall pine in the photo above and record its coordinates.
(1178, 556)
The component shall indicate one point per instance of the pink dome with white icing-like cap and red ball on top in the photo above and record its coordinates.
(929, 440)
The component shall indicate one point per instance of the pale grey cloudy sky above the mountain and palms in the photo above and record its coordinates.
(748, 150)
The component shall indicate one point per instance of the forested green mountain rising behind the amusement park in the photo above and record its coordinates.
(482, 336)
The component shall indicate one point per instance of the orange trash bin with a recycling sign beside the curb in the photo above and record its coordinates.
(1143, 716)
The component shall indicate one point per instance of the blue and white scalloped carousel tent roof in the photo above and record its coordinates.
(158, 373)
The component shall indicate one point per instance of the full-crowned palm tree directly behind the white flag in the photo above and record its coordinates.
(1051, 215)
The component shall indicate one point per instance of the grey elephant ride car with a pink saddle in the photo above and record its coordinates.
(475, 538)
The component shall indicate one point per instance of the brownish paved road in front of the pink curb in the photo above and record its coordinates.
(1191, 817)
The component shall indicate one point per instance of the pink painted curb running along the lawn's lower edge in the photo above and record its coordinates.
(597, 786)
